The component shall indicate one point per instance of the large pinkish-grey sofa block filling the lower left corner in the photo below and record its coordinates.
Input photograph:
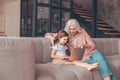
(16, 59)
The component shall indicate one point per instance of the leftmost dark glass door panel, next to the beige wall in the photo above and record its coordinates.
(26, 18)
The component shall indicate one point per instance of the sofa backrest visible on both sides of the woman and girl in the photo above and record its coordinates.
(107, 46)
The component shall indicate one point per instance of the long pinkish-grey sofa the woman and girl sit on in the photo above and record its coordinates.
(29, 59)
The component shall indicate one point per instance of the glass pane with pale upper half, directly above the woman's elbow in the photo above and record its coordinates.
(42, 20)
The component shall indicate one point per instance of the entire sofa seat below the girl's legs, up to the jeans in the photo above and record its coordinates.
(51, 71)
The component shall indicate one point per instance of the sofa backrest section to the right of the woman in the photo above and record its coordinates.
(107, 46)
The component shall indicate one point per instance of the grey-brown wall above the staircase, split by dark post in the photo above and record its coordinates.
(108, 10)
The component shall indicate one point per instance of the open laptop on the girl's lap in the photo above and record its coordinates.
(76, 54)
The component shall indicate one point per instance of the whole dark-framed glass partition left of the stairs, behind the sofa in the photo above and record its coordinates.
(41, 16)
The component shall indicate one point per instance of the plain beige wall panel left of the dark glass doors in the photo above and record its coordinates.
(12, 18)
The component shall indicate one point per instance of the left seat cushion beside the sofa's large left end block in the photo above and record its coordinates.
(53, 72)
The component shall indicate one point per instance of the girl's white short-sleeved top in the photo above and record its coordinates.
(60, 49)
